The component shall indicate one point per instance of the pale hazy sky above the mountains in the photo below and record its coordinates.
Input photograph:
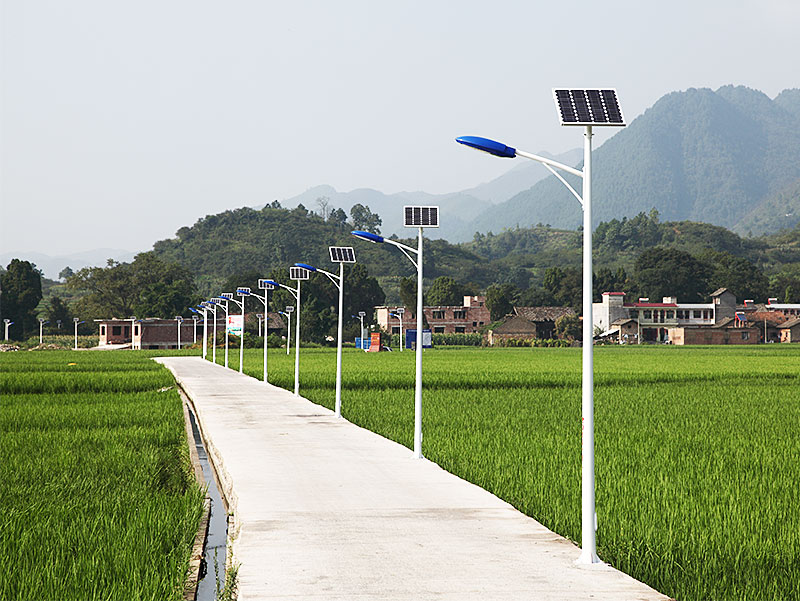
(122, 121)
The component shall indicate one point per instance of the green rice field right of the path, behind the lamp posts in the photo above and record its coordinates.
(697, 448)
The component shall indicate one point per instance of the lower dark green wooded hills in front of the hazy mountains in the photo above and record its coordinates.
(246, 240)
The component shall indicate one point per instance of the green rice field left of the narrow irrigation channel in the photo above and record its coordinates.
(98, 500)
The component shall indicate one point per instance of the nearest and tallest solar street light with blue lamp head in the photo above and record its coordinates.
(586, 108)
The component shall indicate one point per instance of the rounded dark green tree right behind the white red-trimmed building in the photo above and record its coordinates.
(663, 272)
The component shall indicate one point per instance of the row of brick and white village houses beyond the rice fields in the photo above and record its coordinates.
(721, 321)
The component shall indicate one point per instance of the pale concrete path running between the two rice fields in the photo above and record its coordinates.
(324, 509)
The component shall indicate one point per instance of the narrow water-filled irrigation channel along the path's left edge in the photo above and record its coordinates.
(215, 547)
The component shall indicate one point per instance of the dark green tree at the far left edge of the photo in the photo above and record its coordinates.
(21, 286)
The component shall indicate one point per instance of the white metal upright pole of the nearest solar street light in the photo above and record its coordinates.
(588, 516)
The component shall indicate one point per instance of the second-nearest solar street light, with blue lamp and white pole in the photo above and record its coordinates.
(419, 217)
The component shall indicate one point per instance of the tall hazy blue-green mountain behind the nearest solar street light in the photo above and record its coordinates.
(730, 157)
